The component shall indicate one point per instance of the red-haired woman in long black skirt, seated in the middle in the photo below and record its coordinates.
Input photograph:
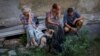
(52, 22)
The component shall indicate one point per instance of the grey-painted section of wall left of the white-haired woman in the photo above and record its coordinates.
(9, 12)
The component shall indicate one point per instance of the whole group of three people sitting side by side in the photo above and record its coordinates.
(55, 30)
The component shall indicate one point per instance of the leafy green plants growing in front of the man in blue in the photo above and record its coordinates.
(76, 46)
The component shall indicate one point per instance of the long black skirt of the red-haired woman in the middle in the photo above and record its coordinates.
(58, 37)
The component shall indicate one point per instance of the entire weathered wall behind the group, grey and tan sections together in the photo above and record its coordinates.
(9, 9)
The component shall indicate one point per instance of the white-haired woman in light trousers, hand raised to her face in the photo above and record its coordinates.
(34, 35)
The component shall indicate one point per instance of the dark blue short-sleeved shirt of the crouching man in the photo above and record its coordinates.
(69, 19)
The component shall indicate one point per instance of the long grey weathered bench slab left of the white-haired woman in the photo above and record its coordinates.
(11, 31)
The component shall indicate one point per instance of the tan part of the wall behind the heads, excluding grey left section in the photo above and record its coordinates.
(84, 6)
